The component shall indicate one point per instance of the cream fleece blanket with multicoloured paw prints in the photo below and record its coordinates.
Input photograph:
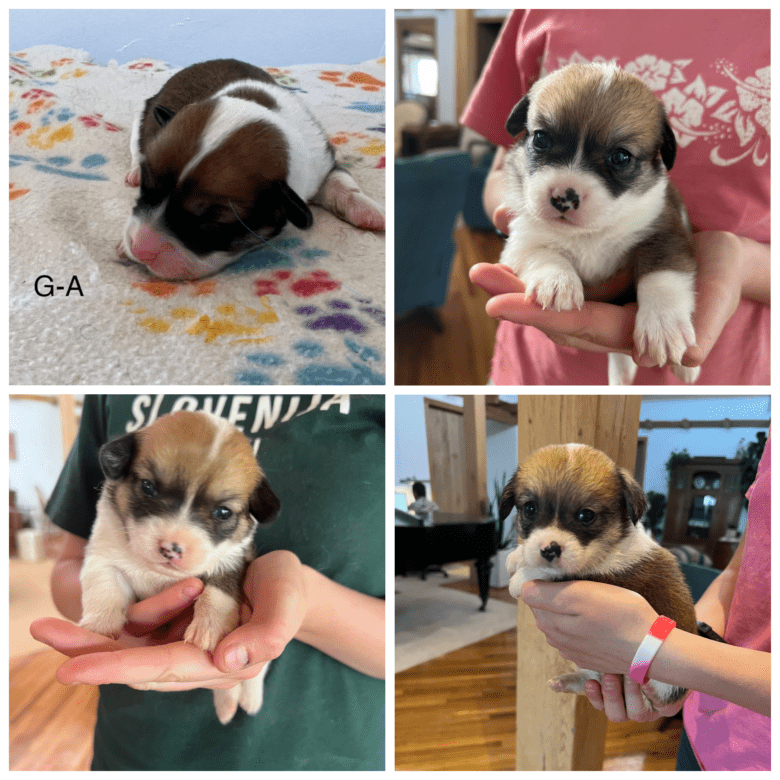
(307, 309)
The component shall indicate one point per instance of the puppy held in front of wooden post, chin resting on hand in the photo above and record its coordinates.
(579, 518)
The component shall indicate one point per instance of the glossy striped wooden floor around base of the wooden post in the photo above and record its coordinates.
(457, 712)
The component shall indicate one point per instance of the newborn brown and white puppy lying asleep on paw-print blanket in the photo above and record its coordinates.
(225, 157)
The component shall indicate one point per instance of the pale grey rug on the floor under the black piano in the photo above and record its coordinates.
(431, 620)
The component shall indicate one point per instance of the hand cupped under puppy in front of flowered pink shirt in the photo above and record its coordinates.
(604, 327)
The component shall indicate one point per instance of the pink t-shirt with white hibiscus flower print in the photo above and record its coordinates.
(711, 71)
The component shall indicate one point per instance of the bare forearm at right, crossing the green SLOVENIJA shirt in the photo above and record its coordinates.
(344, 624)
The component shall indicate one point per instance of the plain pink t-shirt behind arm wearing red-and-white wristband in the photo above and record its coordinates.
(725, 736)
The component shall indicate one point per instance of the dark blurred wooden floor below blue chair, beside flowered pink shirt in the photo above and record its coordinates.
(461, 354)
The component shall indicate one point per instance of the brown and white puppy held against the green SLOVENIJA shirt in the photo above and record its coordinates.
(182, 498)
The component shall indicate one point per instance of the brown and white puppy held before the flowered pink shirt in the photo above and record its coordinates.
(588, 182)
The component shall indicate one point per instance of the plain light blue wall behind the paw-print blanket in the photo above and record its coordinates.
(180, 37)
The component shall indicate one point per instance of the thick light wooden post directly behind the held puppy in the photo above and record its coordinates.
(561, 731)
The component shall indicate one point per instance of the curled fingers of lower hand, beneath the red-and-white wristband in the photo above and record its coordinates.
(621, 699)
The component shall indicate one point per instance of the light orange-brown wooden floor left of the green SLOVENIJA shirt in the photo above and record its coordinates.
(51, 725)
